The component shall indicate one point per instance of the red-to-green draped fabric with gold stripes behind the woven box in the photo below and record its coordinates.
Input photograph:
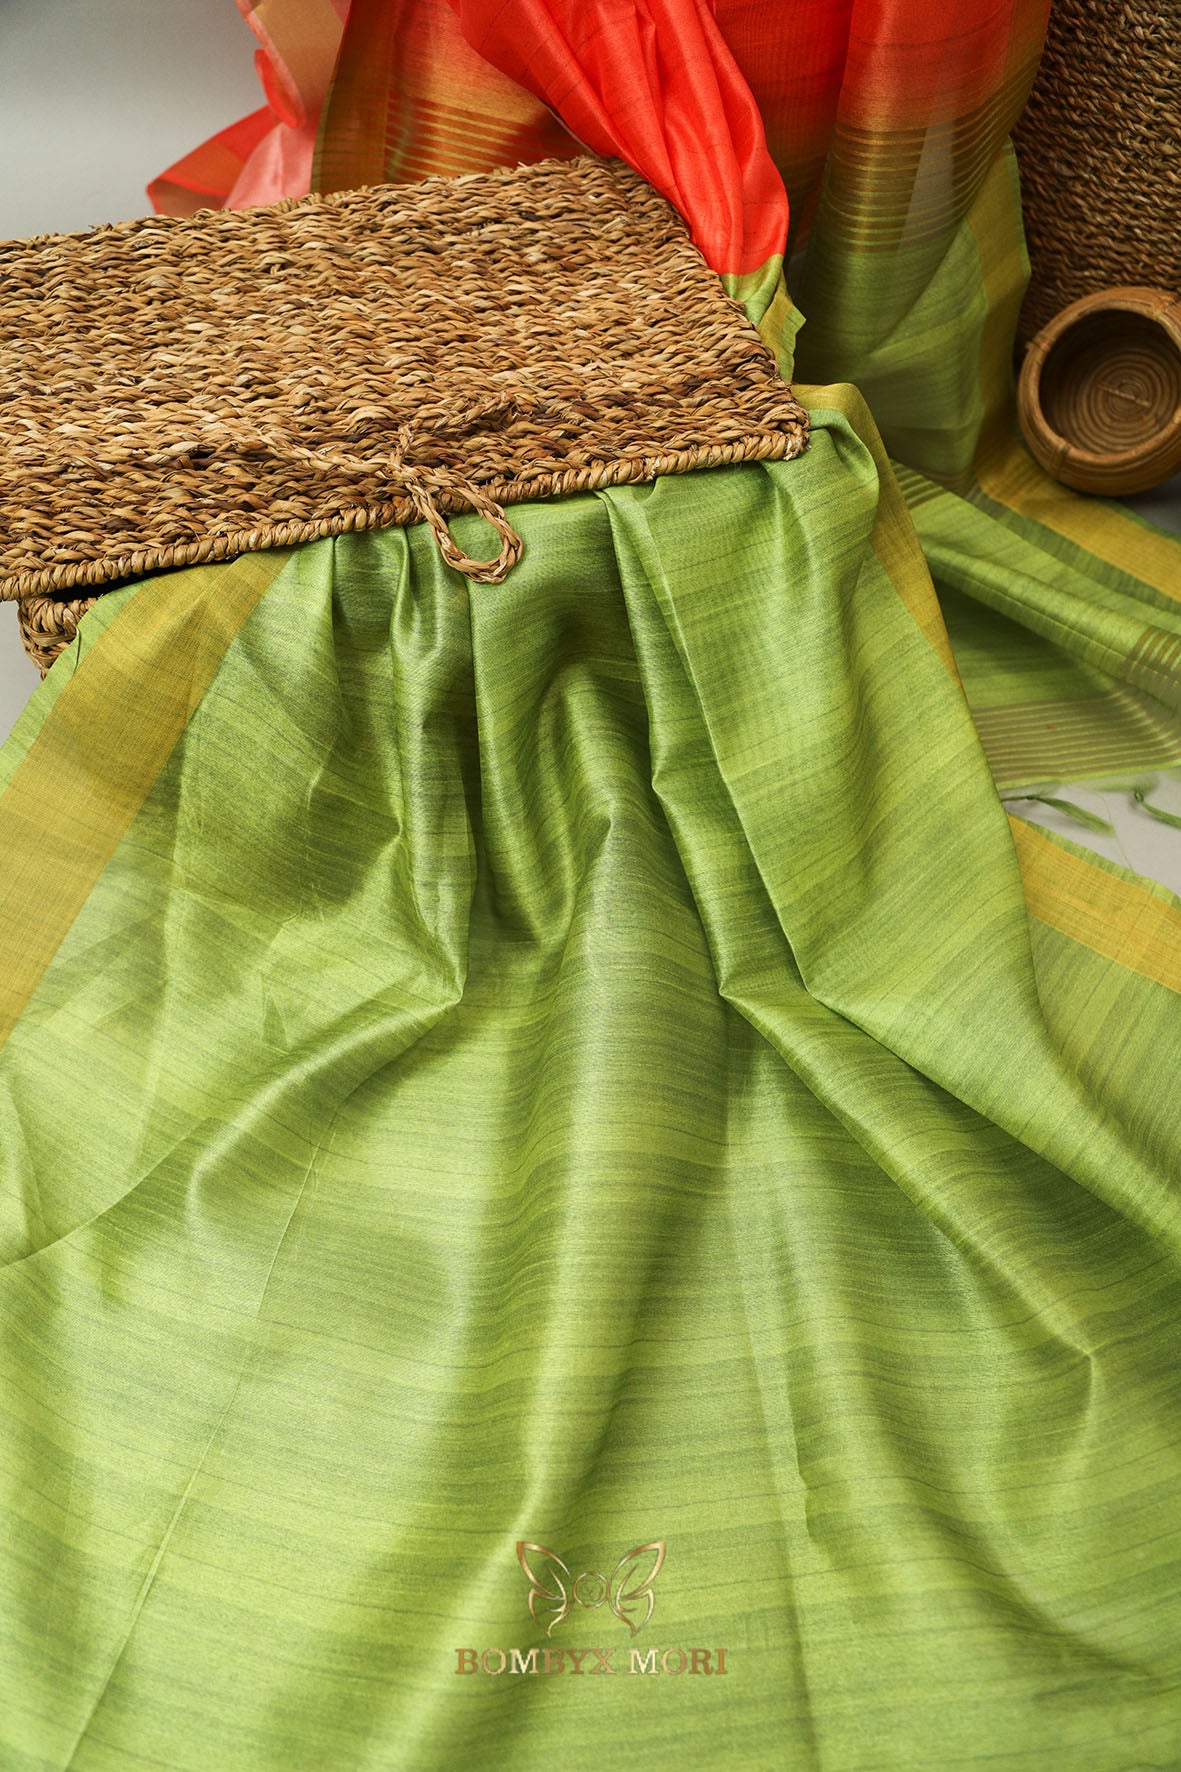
(888, 123)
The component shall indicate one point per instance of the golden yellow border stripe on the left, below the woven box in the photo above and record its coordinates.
(100, 750)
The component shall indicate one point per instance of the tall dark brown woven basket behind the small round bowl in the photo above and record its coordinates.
(1100, 155)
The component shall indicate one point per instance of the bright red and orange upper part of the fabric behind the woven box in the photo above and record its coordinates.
(733, 109)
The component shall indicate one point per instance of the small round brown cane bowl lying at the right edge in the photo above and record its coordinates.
(1100, 392)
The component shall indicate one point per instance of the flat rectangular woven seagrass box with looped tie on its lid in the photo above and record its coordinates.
(178, 391)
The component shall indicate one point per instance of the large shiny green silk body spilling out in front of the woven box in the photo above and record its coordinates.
(572, 1062)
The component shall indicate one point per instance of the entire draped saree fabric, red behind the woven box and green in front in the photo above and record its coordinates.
(590, 1064)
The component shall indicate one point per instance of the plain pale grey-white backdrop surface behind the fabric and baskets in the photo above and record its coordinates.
(98, 97)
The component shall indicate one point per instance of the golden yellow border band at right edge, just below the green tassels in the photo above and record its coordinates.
(1106, 913)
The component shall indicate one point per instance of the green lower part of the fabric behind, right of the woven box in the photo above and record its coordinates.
(1065, 612)
